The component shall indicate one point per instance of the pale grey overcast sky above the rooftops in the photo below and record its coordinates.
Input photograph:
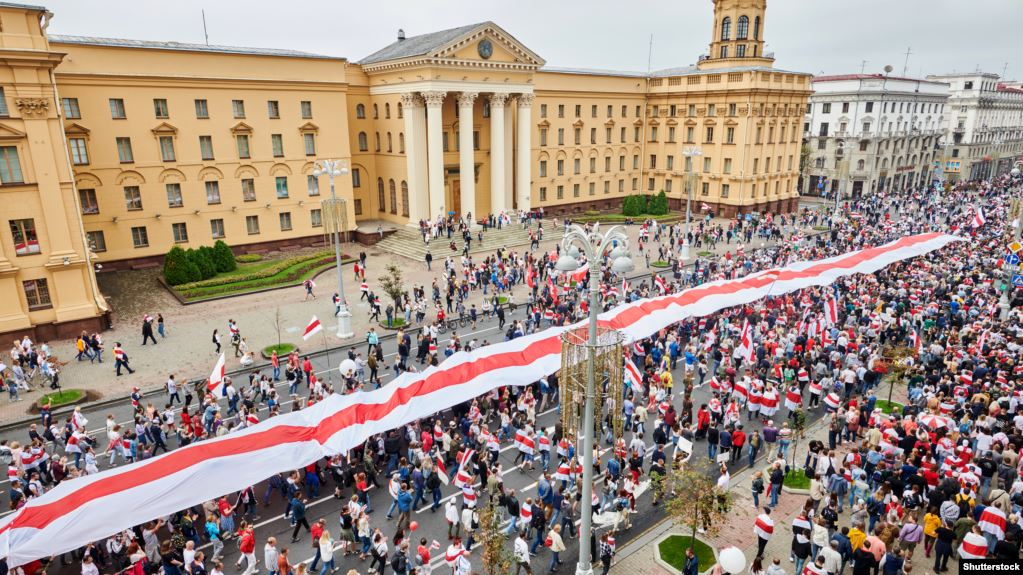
(814, 36)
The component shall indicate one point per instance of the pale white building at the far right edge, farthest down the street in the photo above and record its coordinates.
(986, 125)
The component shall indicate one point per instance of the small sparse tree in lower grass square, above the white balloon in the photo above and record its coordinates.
(696, 502)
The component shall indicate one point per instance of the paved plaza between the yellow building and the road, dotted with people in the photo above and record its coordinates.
(188, 350)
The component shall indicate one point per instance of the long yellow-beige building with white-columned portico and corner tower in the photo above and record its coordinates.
(182, 144)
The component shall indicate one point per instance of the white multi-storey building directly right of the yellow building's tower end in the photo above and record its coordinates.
(875, 132)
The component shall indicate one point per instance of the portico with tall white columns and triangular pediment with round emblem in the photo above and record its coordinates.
(467, 106)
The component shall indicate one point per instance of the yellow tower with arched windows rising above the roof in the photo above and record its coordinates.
(738, 36)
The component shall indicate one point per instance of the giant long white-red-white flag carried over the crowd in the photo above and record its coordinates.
(95, 507)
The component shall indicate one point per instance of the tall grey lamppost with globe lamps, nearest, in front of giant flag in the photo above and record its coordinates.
(594, 246)
